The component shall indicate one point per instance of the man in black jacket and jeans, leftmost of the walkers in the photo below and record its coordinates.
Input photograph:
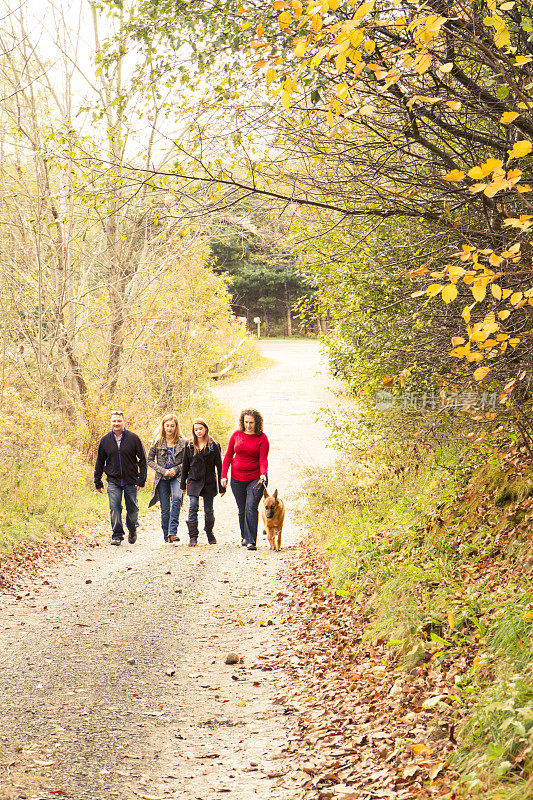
(121, 456)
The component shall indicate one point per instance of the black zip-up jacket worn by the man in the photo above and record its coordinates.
(125, 467)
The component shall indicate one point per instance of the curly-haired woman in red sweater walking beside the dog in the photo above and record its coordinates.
(247, 455)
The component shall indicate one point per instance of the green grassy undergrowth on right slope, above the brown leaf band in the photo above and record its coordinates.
(433, 546)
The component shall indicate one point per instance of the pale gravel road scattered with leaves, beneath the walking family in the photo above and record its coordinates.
(113, 682)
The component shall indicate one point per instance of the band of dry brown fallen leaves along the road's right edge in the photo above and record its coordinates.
(362, 728)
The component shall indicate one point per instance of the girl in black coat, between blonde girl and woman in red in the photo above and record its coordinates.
(200, 460)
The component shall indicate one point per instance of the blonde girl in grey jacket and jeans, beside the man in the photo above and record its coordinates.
(165, 457)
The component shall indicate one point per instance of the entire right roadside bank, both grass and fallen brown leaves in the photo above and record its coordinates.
(417, 605)
